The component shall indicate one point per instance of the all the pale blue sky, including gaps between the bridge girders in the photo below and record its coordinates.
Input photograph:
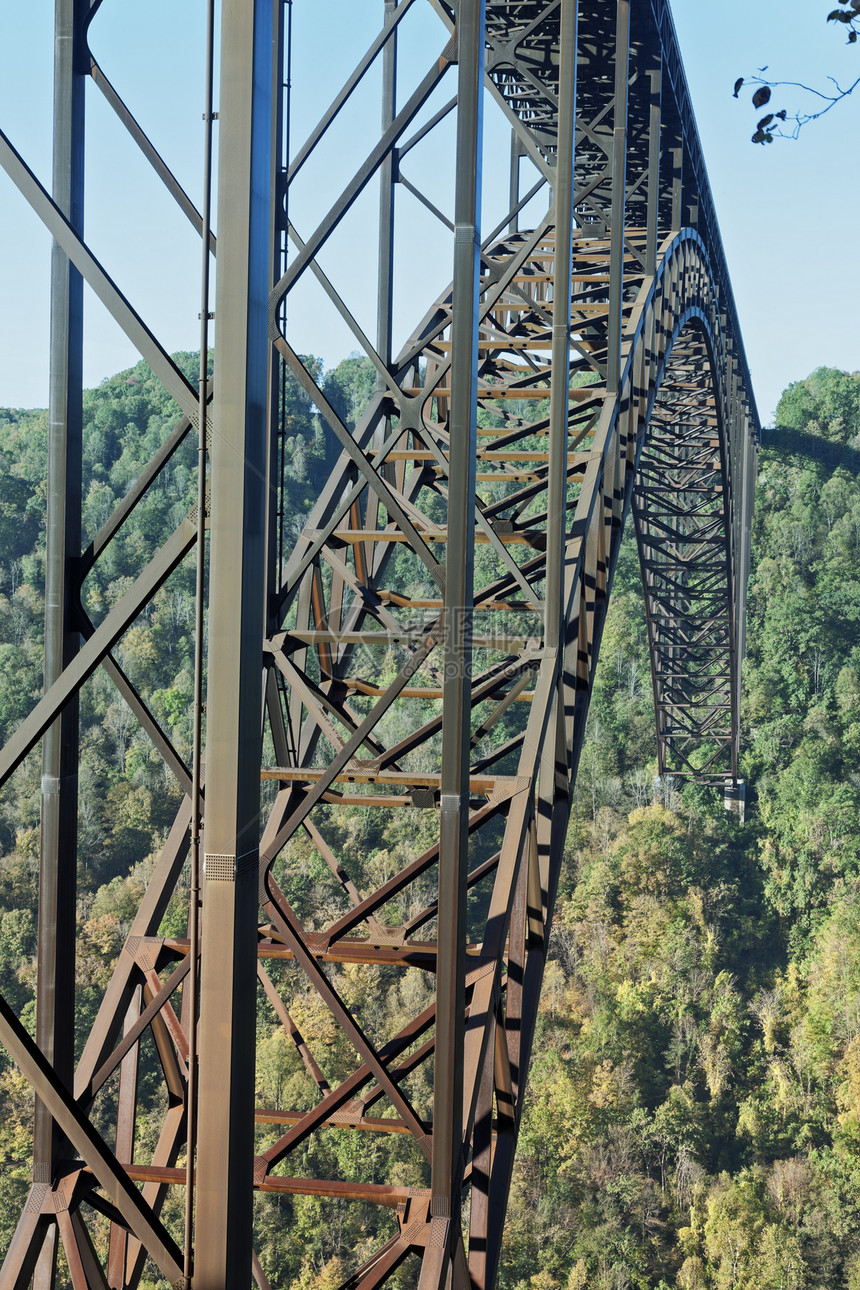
(787, 212)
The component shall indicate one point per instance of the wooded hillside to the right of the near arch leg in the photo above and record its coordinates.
(696, 1101)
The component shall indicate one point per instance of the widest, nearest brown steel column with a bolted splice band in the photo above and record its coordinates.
(234, 709)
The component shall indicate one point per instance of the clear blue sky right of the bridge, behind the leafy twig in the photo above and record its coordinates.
(786, 211)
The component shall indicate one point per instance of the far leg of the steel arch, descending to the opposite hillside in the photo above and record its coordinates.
(694, 474)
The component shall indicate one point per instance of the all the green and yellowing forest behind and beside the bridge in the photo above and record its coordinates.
(694, 1107)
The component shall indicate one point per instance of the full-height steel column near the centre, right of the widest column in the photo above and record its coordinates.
(451, 978)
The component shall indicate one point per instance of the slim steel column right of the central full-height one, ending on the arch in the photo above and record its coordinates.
(560, 389)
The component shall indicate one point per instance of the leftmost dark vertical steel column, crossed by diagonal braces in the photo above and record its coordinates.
(57, 874)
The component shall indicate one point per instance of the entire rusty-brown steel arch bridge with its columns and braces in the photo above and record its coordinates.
(425, 640)
